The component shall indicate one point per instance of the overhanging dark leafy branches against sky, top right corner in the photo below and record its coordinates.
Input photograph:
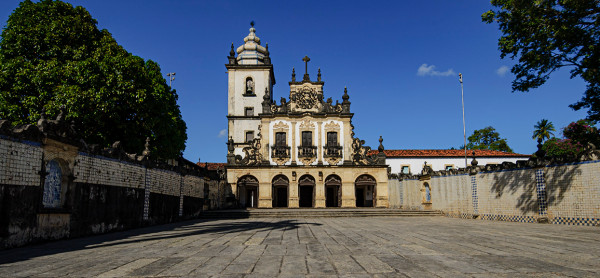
(547, 35)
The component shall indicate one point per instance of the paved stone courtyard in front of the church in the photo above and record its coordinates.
(320, 247)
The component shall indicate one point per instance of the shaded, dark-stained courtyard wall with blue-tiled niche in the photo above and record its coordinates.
(50, 190)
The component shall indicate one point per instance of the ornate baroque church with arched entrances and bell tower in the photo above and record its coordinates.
(300, 152)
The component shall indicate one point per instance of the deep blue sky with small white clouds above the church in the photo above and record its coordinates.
(399, 59)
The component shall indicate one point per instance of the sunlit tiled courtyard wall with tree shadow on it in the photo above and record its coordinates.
(561, 194)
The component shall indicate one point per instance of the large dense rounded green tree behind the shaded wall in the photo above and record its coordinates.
(53, 54)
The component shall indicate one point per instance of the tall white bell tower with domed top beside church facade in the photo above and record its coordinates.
(250, 81)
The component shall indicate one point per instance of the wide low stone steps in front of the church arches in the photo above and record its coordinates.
(313, 213)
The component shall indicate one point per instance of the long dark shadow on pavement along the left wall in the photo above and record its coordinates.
(153, 233)
